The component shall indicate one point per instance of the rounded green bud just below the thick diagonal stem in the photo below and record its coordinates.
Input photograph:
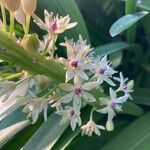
(41, 81)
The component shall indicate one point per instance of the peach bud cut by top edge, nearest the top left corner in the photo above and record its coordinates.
(12, 5)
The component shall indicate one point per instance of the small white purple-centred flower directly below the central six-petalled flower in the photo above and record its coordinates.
(72, 115)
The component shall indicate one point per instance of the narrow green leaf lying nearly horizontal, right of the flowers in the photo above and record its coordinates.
(111, 48)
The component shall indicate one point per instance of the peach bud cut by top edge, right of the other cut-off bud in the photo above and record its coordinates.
(29, 6)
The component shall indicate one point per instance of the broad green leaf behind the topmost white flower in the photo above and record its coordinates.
(65, 7)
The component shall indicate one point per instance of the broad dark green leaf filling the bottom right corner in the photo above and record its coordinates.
(135, 137)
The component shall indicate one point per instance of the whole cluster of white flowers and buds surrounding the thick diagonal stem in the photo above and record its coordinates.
(84, 76)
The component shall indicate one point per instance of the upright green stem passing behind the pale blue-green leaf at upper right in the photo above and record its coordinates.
(131, 9)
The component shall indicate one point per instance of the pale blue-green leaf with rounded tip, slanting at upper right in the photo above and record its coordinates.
(125, 22)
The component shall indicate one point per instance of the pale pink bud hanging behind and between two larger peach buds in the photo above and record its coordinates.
(20, 16)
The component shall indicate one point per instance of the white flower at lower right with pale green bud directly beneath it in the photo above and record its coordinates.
(111, 104)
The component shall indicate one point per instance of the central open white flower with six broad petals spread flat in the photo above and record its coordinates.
(77, 92)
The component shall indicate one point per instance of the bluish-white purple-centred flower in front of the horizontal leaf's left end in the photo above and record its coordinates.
(103, 71)
